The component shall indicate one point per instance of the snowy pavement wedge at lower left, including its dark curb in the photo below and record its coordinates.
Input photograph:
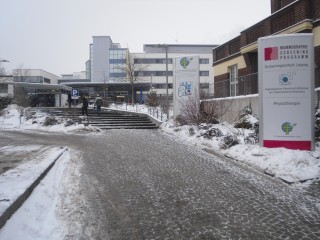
(21, 169)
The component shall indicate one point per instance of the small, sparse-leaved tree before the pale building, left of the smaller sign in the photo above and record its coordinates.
(134, 73)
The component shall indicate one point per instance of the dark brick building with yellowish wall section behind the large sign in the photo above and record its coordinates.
(235, 62)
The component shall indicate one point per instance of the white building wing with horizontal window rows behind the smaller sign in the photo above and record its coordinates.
(155, 69)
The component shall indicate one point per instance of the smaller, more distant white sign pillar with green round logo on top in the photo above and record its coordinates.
(186, 83)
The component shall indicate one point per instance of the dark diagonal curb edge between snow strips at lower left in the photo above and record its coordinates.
(20, 200)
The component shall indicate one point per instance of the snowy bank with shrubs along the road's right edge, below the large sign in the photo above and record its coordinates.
(241, 144)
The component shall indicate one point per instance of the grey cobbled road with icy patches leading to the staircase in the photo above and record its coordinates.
(145, 184)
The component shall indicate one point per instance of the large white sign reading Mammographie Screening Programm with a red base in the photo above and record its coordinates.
(286, 91)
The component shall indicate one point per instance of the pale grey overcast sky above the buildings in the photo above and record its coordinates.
(54, 35)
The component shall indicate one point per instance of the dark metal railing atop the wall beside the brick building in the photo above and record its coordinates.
(244, 85)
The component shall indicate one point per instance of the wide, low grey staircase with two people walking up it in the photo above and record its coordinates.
(108, 119)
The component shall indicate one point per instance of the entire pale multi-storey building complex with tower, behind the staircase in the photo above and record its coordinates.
(107, 69)
